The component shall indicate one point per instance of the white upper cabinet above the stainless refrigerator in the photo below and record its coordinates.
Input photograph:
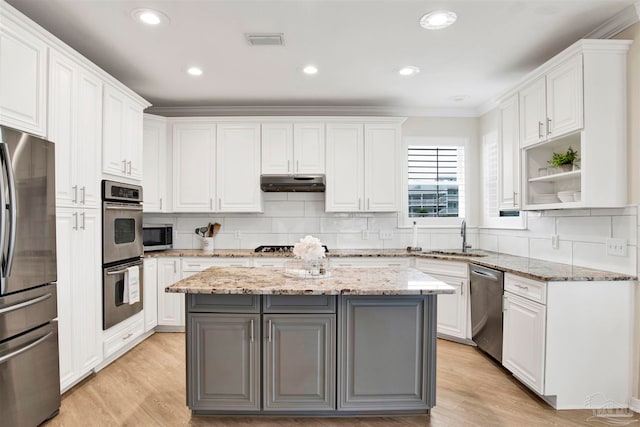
(23, 77)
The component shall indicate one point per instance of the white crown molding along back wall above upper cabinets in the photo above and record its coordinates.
(297, 111)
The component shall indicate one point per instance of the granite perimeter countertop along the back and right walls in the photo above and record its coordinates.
(527, 267)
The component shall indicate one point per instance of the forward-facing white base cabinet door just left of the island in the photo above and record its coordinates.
(170, 306)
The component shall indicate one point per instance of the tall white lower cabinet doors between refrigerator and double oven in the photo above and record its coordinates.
(79, 293)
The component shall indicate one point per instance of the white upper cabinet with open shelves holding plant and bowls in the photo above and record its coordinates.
(586, 96)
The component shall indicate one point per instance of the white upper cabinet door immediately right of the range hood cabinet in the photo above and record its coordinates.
(345, 167)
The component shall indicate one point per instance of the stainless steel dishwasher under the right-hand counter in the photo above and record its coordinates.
(486, 289)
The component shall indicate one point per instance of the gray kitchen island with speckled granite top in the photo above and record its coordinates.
(362, 341)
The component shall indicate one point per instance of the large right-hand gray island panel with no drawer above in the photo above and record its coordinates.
(386, 353)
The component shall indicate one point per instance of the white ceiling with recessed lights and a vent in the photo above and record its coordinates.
(358, 46)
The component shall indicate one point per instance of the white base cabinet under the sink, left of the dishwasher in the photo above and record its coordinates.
(453, 309)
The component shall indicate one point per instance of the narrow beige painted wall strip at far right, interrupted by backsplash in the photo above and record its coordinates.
(633, 105)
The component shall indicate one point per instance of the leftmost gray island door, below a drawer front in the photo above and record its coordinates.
(223, 355)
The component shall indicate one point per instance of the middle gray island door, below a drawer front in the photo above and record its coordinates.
(299, 362)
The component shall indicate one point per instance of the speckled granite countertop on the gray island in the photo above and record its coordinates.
(344, 281)
